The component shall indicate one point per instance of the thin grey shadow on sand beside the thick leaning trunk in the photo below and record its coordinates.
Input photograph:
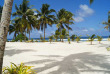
(12, 52)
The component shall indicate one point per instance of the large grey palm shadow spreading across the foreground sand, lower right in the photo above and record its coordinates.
(75, 63)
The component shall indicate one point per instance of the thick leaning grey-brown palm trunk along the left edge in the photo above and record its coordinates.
(4, 26)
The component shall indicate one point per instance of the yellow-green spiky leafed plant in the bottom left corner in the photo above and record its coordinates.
(21, 69)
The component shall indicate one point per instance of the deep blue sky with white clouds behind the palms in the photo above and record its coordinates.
(88, 18)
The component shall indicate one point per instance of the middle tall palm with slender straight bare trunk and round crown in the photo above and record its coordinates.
(45, 17)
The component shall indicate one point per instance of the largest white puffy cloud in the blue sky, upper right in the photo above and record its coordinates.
(84, 11)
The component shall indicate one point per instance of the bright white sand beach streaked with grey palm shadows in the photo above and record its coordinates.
(61, 58)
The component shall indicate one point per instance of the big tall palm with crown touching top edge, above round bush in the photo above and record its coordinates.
(28, 19)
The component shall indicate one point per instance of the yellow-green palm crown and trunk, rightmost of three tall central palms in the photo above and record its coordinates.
(62, 20)
